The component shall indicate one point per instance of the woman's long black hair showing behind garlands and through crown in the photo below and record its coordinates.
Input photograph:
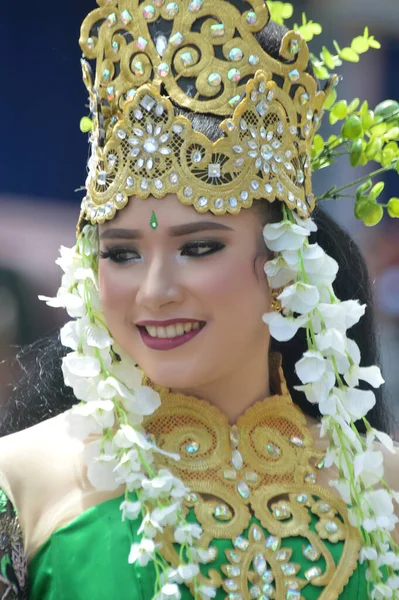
(41, 392)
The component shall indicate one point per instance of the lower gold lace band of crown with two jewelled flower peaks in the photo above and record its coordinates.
(264, 154)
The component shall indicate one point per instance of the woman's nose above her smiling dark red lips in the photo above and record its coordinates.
(159, 286)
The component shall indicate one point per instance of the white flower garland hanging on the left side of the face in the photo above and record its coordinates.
(113, 402)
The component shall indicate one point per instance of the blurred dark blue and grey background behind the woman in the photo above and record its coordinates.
(43, 158)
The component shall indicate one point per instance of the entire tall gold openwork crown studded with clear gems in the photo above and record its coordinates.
(201, 55)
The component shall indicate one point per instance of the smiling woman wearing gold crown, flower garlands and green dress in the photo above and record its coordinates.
(222, 492)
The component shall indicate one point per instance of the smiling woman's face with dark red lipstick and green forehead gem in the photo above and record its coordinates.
(184, 300)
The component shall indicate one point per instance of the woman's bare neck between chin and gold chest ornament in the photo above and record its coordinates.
(239, 388)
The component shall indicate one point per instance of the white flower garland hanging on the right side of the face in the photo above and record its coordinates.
(329, 371)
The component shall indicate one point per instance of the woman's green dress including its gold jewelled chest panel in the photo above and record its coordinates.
(273, 531)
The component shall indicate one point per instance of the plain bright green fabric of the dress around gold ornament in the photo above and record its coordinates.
(87, 560)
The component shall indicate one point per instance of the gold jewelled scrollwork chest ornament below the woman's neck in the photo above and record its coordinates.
(265, 467)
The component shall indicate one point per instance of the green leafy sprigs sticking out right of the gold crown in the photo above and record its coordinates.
(365, 135)
